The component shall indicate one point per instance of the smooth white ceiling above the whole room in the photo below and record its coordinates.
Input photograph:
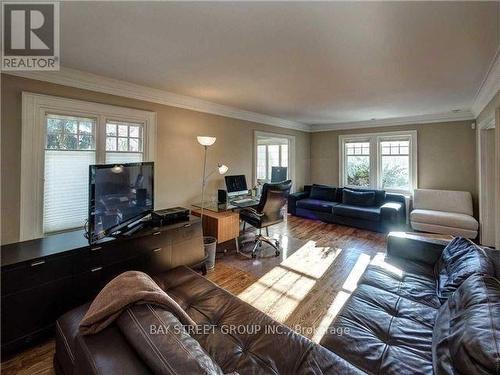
(314, 63)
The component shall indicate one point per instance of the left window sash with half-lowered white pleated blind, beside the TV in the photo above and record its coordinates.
(70, 149)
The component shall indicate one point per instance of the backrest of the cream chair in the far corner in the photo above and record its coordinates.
(443, 200)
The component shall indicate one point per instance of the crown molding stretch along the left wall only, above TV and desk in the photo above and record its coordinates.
(93, 82)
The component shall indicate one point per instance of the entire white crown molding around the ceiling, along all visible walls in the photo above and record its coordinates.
(93, 82)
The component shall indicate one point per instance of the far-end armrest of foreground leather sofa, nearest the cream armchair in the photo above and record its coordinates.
(414, 247)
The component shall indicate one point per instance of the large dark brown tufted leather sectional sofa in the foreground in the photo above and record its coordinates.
(412, 311)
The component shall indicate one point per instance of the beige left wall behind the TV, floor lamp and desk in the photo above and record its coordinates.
(179, 157)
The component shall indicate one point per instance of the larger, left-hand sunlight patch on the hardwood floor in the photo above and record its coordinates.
(281, 290)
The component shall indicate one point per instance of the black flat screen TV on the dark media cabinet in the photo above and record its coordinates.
(119, 195)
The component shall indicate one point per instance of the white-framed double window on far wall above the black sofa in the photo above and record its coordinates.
(385, 161)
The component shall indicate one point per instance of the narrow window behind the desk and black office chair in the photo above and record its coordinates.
(272, 150)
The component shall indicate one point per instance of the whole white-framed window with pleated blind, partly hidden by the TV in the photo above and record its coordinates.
(61, 138)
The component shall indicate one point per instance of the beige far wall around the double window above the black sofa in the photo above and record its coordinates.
(446, 155)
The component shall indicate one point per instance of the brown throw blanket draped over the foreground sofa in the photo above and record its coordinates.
(129, 288)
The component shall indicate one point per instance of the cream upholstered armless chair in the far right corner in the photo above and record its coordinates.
(444, 212)
